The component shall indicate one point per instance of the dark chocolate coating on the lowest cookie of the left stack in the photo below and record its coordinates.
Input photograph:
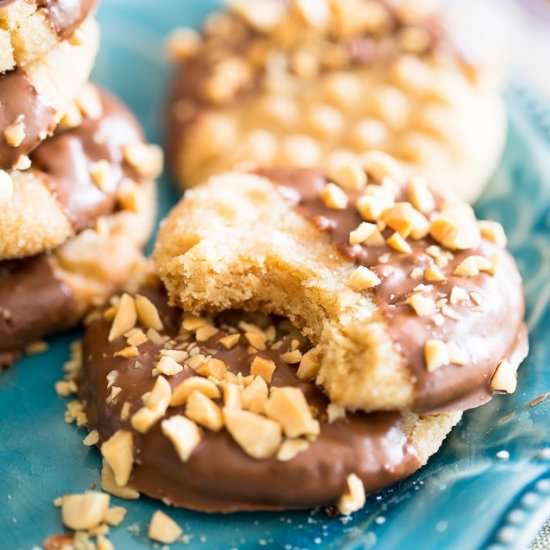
(33, 302)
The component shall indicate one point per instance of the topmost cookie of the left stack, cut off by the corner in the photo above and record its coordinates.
(30, 29)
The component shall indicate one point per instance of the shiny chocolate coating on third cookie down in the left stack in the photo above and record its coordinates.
(66, 159)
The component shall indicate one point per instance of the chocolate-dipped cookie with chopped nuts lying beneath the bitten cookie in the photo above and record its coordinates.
(209, 414)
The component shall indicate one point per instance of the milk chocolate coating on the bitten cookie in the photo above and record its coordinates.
(488, 333)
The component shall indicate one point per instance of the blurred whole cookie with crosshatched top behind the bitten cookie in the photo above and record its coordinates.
(293, 83)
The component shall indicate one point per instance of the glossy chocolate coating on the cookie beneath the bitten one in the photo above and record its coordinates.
(220, 476)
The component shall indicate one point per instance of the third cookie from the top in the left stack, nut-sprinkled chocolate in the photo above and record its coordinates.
(77, 176)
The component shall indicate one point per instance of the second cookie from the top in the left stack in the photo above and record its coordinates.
(34, 99)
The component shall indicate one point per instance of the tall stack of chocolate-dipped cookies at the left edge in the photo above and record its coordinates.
(76, 179)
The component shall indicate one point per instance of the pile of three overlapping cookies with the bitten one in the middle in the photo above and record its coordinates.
(315, 330)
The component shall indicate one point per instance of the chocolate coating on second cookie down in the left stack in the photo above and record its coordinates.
(20, 101)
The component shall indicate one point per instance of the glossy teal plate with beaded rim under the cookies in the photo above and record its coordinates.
(470, 496)
